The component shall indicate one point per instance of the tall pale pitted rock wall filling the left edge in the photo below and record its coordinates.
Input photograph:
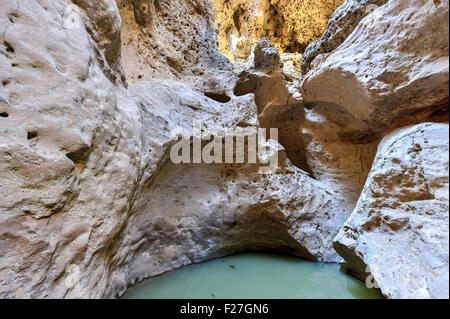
(70, 146)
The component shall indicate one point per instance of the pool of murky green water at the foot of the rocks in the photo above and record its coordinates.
(254, 276)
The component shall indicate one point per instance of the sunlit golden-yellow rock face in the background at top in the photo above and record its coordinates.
(290, 24)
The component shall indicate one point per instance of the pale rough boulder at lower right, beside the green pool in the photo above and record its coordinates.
(400, 225)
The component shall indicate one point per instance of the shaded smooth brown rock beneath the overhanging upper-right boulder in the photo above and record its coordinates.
(340, 164)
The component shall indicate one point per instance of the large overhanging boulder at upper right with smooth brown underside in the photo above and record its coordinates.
(392, 70)
